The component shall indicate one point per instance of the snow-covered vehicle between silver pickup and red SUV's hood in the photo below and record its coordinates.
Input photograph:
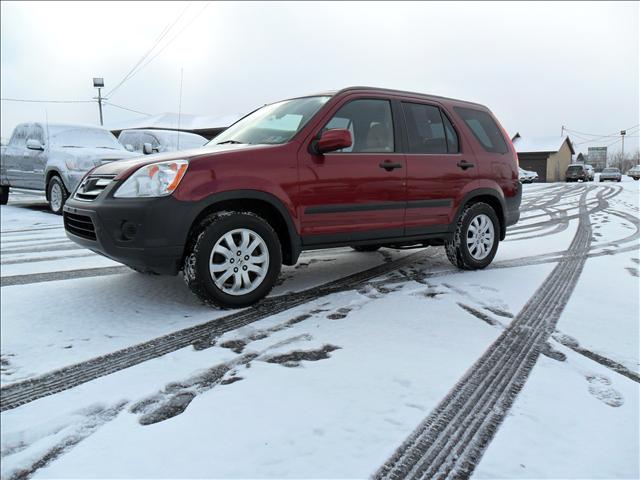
(158, 141)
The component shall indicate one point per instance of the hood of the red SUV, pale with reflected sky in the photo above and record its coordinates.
(122, 168)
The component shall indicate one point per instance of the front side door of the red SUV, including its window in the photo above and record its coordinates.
(357, 193)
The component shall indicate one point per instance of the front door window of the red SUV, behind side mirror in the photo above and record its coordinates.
(370, 123)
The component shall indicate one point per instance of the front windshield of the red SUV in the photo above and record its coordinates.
(272, 124)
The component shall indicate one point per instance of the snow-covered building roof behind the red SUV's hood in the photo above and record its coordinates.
(206, 125)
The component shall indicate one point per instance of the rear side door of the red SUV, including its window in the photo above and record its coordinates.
(438, 167)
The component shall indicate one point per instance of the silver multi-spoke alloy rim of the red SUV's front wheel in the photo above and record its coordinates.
(239, 261)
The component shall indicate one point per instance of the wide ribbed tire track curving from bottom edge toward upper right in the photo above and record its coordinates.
(451, 440)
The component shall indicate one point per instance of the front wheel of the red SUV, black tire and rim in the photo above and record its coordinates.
(216, 232)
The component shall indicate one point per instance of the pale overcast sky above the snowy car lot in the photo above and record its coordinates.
(538, 66)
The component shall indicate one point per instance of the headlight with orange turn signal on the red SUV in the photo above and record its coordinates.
(154, 180)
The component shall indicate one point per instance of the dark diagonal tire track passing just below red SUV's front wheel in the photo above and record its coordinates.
(19, 393)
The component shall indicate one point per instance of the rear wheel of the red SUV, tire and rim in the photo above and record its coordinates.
(459, 251)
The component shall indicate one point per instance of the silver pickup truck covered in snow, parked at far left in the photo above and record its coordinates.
(54, 157)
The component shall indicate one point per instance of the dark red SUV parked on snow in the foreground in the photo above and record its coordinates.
(361, 167)
